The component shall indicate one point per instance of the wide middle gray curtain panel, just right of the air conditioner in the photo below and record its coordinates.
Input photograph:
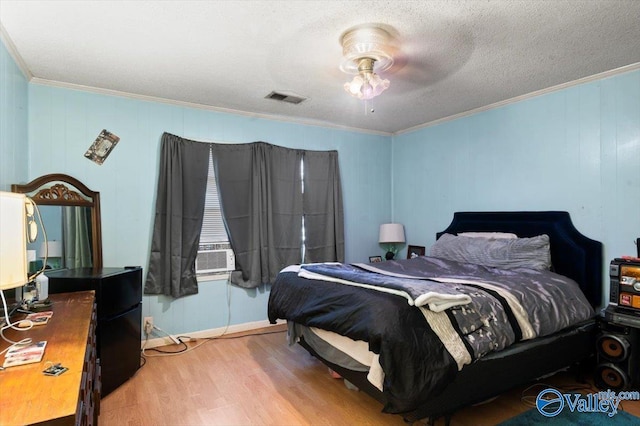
(261, 200)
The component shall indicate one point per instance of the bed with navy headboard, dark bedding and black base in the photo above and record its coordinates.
(426, 355)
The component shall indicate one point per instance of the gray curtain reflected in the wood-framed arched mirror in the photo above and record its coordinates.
(76, 231)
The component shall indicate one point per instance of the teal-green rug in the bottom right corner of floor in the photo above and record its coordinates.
(566, 417)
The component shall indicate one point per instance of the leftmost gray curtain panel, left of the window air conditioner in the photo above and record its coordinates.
(182, 185)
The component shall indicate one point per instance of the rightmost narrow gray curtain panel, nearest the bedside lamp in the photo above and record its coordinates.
(322, 207)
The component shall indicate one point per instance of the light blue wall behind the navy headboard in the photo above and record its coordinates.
(576, 149)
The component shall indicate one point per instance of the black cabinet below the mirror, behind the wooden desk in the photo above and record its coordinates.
(119, 301)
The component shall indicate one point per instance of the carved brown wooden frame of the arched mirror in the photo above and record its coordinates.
(42, 192)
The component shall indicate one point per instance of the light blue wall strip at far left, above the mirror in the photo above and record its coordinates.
(13, 122)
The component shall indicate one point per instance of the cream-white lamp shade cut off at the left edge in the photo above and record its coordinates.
(13, 240)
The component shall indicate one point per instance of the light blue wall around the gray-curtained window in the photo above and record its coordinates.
(64, 122)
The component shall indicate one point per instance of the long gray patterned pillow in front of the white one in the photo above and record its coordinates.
(505, 253)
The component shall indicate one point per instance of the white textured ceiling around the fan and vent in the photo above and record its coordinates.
(455, 56)
